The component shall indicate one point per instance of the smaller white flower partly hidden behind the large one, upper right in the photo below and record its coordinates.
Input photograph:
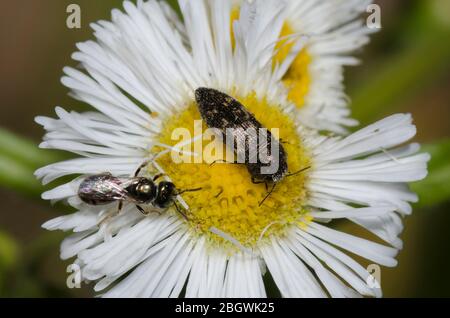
(314, 79)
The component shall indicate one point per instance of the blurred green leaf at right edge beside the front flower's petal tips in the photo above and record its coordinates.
(435, 189)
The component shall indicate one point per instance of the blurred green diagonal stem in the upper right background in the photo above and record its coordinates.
(402, 74)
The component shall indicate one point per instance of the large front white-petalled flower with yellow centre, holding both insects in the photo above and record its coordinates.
(140, 75)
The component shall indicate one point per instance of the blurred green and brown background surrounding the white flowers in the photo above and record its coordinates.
(405, 69)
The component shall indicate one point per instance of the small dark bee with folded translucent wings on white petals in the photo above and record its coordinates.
(104, 188)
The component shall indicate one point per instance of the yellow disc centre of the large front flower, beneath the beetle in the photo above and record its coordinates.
(228, 200)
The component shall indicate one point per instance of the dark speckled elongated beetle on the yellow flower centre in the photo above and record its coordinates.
(222, 112)
